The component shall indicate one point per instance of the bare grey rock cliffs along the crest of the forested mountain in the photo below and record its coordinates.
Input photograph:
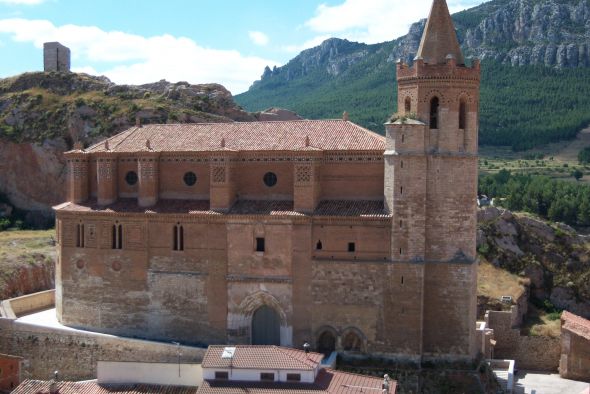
(553, 33)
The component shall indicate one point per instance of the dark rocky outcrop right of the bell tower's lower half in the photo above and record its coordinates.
(554, 257)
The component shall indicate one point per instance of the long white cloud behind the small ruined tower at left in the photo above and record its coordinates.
(134, 59)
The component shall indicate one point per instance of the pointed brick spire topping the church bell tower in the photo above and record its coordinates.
(439, 38)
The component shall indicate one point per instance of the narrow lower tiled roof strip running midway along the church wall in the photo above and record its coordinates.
(348, 208)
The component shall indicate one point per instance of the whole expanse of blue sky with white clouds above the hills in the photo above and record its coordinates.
(200, 41)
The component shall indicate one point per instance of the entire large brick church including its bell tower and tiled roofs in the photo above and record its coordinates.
(287, 232)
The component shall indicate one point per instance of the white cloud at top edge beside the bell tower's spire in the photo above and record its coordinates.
(374, 21)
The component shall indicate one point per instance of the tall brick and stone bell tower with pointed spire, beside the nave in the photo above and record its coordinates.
(430, 190)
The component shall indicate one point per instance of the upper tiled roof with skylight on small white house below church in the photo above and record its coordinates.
(261, 357)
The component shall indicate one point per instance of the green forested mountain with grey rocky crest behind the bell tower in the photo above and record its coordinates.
(549, 39)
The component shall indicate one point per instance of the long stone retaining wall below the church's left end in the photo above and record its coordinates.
(75, 354)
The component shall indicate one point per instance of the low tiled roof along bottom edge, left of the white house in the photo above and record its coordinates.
(92, 387)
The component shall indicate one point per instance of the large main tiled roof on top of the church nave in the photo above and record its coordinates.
(293, 135)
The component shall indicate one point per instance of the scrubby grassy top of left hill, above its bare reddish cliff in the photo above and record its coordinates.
(38, 106)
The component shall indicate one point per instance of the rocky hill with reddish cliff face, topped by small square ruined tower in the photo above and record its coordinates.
(43, 114)
